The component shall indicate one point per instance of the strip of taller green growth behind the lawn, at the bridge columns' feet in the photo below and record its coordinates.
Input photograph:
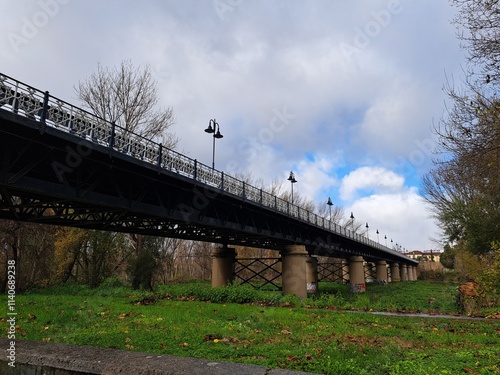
(417, 296)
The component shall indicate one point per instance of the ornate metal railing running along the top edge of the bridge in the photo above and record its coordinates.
(39, 106)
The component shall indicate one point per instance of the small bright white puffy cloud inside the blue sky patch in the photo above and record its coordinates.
(371, 180)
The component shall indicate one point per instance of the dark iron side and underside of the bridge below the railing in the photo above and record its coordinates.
(51, 177)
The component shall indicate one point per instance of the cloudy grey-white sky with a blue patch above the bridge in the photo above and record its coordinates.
(344, 93)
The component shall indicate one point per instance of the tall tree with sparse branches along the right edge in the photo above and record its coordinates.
(464, 184)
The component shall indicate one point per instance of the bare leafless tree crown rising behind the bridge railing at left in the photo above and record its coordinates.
(128, 96)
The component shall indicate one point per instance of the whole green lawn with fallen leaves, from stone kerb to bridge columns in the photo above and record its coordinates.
(269, 329)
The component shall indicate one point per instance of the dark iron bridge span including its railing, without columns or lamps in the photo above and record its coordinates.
(62, 165)
